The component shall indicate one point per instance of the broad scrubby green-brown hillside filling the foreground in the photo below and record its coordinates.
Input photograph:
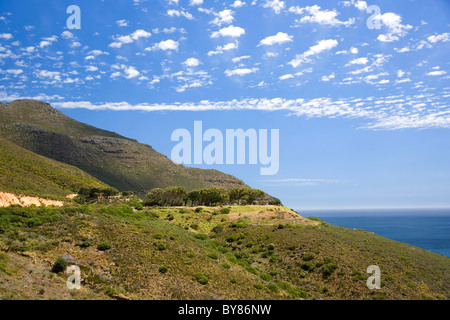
(248, 259)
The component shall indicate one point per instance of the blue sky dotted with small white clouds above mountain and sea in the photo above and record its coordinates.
(363, 113)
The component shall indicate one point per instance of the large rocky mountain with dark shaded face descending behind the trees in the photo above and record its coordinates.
(120, 162)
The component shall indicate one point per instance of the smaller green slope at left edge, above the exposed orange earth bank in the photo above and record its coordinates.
(24, 172)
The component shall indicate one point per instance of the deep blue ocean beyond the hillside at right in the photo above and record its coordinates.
(425, 228)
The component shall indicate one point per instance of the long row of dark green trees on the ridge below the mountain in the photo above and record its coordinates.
(178, 196)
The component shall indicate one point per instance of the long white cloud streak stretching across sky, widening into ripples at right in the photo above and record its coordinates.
(378, 113)
